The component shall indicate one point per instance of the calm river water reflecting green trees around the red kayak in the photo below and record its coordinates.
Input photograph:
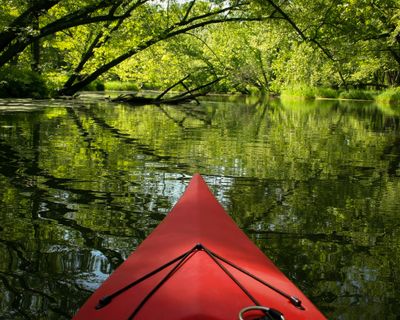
(315, 185)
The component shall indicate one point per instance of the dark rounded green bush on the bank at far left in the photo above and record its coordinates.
(22, 83)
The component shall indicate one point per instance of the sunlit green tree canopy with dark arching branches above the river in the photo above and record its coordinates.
(254, 44)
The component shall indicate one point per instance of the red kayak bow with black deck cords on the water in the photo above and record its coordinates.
(197, 265)
